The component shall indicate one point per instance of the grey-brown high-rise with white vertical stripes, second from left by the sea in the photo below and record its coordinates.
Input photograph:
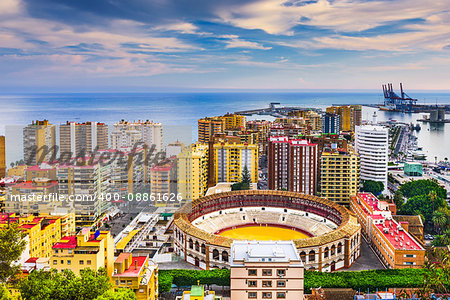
(78, 137)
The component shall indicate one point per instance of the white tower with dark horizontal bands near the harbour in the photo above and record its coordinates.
(372, 143)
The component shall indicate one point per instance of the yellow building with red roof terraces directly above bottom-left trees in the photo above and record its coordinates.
(85, 250)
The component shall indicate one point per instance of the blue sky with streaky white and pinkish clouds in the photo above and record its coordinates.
(145, 45)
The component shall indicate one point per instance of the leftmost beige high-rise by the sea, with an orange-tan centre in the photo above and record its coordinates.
(37, 136)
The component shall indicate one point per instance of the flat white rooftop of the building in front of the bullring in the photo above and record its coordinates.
(264, 251)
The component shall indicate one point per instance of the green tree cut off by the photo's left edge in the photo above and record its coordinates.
(12, 244)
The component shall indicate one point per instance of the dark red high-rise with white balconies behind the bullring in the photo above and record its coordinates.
(293, 165)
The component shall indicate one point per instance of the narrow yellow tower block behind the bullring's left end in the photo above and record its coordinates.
(192, 172)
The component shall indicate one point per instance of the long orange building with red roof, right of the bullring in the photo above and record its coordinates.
(397, 248)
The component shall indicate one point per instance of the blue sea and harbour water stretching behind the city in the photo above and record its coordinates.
(179, 112)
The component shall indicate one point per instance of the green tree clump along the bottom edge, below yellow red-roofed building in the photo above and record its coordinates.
(41, 285)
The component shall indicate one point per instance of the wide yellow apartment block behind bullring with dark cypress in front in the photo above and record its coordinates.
(230, 159)
